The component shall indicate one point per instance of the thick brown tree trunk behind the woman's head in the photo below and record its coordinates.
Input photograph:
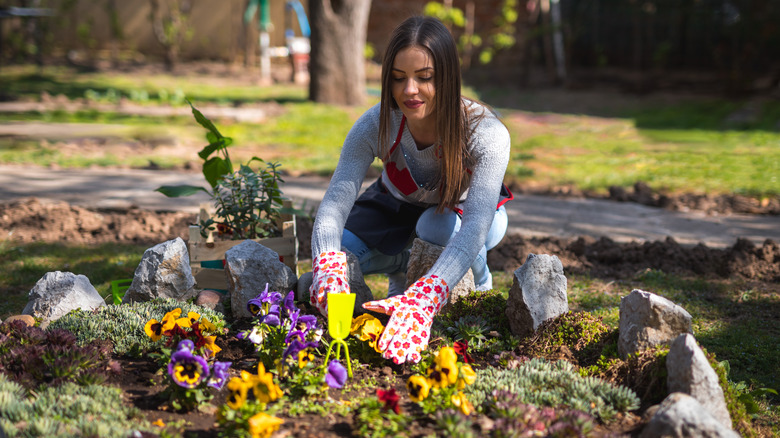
(338, 38)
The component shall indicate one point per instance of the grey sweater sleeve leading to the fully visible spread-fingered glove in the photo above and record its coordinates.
(490, 148)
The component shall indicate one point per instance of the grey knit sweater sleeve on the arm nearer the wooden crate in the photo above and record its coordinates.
(358, 152)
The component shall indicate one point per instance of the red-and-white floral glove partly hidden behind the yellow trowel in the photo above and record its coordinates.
(329, 275)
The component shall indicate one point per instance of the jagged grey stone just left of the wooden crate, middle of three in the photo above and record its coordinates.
(164, 272)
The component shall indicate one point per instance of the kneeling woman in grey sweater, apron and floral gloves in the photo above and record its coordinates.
(444, 159)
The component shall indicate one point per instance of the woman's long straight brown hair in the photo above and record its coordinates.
(452, 118)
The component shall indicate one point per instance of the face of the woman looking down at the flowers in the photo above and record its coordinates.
(412, 84)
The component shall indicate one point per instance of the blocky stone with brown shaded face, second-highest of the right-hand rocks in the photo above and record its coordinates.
(648, 320)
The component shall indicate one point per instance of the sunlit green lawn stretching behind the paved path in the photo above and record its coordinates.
(584, 139)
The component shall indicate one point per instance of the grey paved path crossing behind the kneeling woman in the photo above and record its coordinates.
(529, 215)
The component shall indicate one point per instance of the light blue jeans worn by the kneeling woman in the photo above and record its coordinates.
(432, 227)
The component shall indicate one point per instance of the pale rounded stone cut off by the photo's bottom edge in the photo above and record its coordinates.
(681, 416)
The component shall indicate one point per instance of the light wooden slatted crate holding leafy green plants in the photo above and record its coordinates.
(205, 249)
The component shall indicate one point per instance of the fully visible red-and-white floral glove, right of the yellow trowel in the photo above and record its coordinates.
(411, 315)
